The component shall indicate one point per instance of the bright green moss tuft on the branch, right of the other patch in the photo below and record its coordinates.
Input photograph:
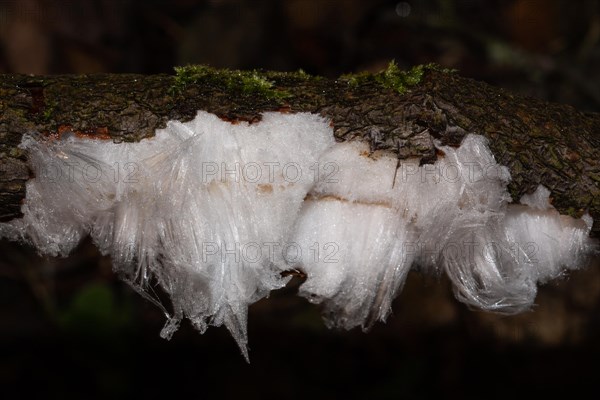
(393, 77)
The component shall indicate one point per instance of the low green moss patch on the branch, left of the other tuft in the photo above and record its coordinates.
(243, 82)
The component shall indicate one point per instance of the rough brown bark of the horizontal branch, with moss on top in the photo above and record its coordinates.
(541, 143)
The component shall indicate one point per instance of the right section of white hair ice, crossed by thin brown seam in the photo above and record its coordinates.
(452, 216)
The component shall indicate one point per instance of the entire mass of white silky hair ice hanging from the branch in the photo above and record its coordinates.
(214, 212)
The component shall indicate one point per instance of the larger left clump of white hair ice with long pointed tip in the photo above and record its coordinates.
(191, 207)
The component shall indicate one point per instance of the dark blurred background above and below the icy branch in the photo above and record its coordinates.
(69, 328)
